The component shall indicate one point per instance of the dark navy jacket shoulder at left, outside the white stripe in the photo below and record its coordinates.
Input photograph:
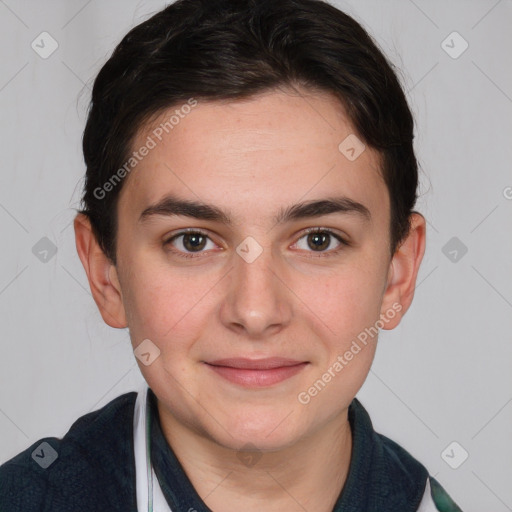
(91, 466)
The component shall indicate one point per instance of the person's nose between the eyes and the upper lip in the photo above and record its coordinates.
(258, 302)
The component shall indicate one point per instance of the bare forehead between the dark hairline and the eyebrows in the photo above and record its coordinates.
(251, 156)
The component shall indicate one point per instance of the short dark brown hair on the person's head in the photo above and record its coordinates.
(233, 49)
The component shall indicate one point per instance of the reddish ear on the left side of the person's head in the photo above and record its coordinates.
(101, 273)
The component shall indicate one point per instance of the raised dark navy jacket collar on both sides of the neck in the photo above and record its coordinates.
(383, 477)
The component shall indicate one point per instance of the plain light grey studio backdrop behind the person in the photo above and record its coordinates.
(441, 383)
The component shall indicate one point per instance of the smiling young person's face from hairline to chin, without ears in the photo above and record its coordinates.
(249, 281)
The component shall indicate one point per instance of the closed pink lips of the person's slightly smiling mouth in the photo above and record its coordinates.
(257, 372)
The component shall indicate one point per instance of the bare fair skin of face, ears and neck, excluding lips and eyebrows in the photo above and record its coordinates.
(251, 158)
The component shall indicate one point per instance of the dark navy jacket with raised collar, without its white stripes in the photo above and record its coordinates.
(94, 469)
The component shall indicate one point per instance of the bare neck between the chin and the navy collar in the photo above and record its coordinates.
(309, 475)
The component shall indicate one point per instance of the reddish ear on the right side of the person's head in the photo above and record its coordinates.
(403, 271)
